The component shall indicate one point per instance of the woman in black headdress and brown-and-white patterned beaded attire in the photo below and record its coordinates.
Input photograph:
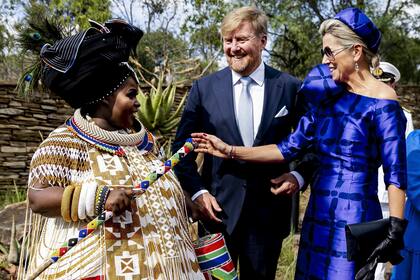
(92, 162)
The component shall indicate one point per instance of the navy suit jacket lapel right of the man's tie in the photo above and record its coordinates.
(272, 96)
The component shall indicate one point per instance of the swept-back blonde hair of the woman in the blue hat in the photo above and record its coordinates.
(346, 37)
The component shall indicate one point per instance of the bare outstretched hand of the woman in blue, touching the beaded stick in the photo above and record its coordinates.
(210, 144)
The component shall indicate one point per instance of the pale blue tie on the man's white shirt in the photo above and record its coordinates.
(245, 113)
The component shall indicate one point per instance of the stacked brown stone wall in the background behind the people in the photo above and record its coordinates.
(25, 122)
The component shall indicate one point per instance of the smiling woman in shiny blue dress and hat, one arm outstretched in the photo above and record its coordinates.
(355, 125)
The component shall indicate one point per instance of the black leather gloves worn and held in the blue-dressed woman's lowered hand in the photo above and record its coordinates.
(387, 250)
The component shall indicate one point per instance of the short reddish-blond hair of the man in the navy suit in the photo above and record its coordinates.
(253, 15)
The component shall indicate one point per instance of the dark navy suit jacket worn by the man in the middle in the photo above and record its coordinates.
(241, 188)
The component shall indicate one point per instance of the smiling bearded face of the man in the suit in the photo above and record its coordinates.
(243, 48)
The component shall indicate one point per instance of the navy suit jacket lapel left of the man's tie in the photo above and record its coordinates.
(223, 91)
